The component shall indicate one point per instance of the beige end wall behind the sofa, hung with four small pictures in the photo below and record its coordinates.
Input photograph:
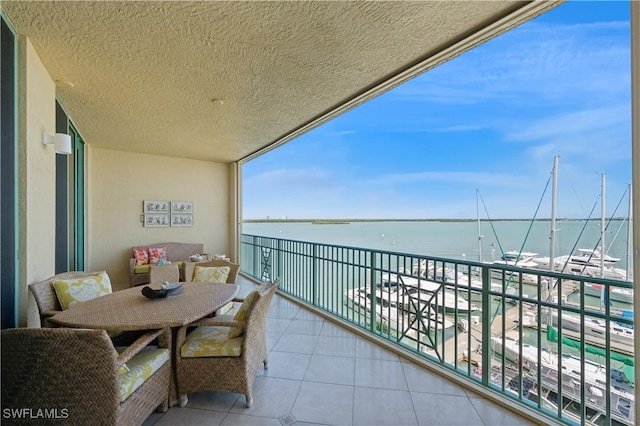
(120, 181)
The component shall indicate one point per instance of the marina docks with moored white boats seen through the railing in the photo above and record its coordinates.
(562, 371)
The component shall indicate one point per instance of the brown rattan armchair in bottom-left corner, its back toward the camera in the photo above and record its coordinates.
(74, 374)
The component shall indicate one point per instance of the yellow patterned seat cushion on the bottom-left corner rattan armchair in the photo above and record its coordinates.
(141, 366)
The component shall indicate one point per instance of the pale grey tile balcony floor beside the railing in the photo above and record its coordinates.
(322, 374)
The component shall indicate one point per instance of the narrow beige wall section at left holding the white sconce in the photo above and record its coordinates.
(36, 168)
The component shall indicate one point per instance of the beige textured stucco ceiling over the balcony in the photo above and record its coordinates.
(147, 76)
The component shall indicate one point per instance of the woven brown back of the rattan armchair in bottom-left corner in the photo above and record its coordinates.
(73, 372)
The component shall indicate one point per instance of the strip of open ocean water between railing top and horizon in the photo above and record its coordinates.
(455, 239)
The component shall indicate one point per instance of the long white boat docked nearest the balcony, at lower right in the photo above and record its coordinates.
(621, 393)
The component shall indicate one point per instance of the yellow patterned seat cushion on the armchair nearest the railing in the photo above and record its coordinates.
(211, 341)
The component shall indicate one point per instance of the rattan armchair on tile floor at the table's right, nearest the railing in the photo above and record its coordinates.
(227, 373)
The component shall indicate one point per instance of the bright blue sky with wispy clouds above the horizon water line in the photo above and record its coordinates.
(491, 119)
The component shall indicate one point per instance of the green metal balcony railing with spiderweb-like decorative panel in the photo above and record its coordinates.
(540, 338)
